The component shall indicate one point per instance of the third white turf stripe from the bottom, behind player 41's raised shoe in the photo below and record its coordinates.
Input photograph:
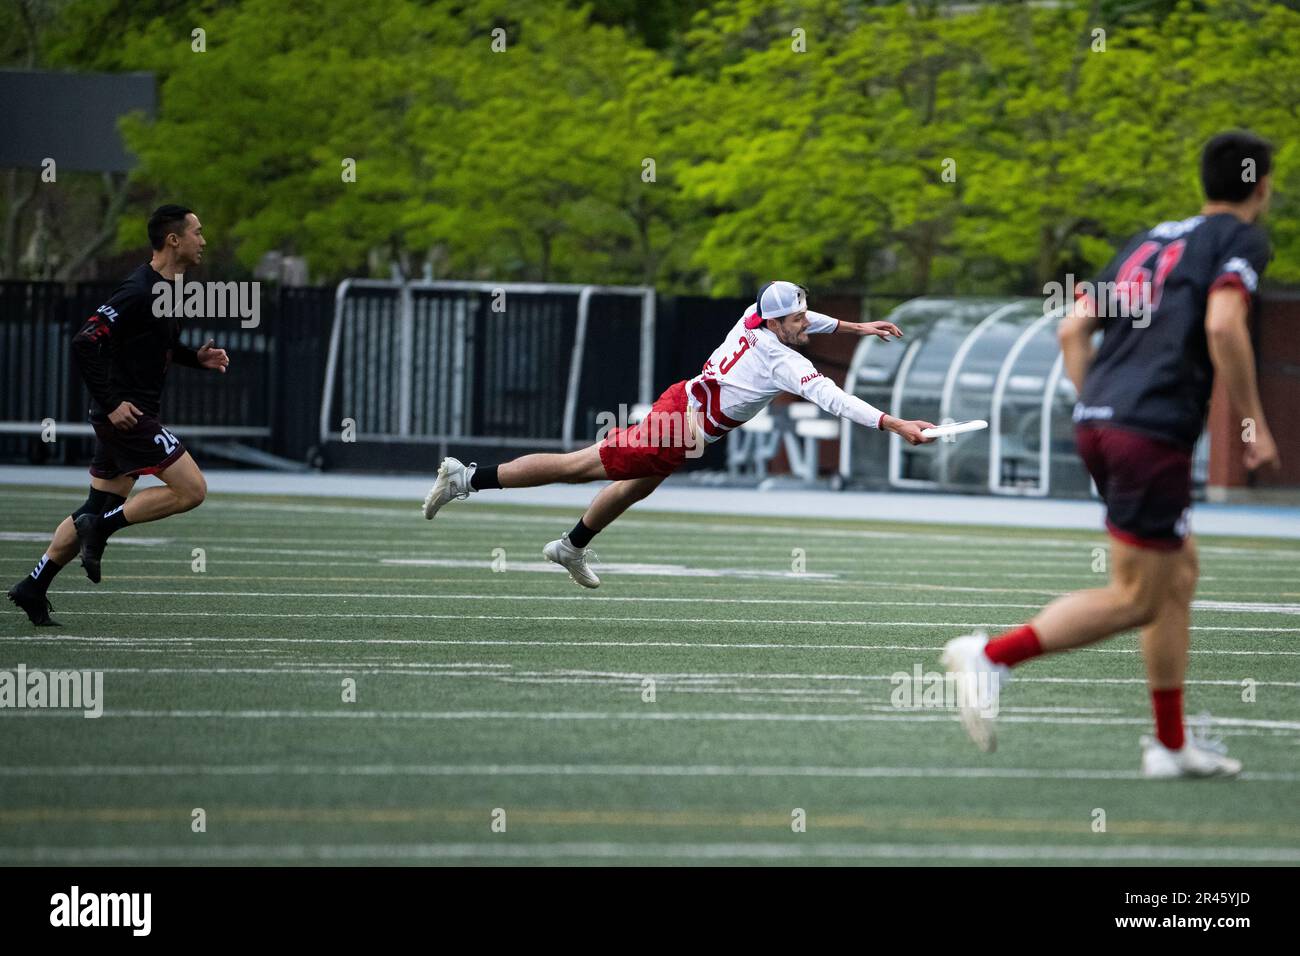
(548, 716)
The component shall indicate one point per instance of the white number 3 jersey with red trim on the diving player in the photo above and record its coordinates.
(752, 367)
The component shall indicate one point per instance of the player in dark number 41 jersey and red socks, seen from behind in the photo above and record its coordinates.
(1173, 308)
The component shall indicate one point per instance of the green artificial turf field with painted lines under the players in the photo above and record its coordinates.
(482, 691)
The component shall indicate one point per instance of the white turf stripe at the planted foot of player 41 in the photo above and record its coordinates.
(595, 771)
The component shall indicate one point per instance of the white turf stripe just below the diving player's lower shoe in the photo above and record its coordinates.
(835, 603)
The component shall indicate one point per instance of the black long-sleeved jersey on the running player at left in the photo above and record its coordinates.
(124, 351)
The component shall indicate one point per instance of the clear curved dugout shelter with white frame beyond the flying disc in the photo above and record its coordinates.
(969, 358)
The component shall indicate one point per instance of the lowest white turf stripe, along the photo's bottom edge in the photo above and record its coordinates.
(635, 850)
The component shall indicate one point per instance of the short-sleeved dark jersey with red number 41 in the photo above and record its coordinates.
(1152, 373)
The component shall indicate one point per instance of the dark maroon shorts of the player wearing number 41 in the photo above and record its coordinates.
(1146, 483)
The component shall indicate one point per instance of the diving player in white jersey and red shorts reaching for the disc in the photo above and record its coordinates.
(755, 365)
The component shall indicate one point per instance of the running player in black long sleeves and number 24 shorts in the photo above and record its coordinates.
(123, 353)
